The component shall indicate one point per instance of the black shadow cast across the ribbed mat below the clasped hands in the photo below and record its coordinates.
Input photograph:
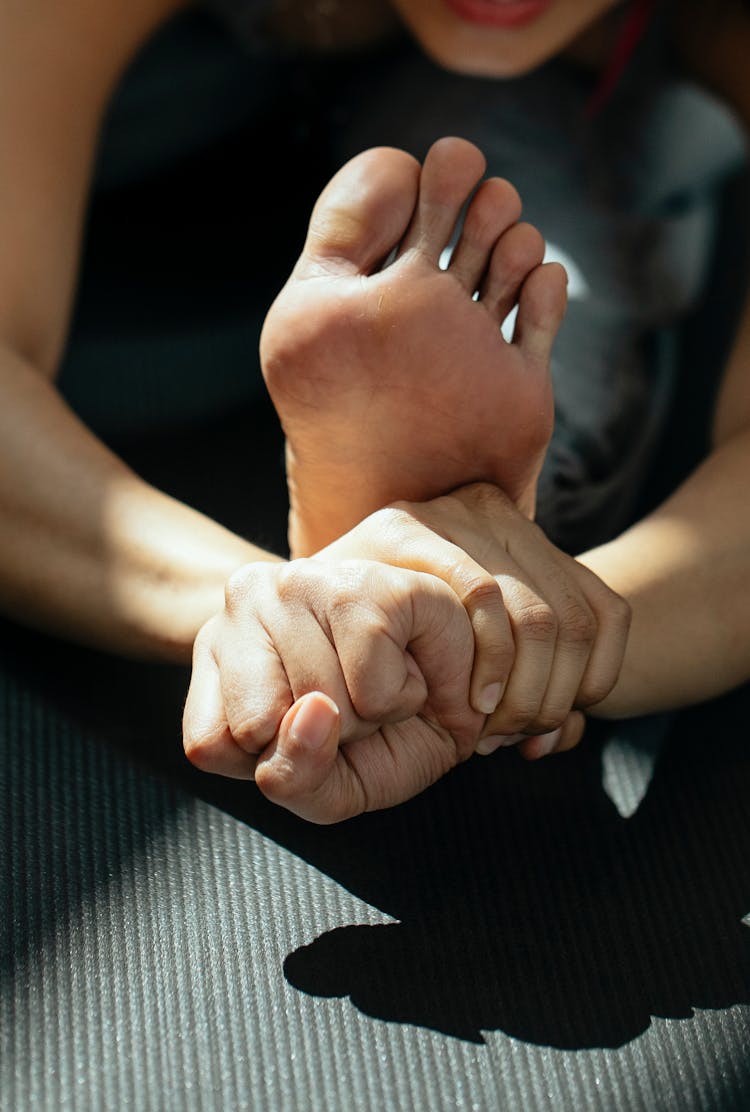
(525, 902)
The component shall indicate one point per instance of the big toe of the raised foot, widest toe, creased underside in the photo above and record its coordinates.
(362, 214)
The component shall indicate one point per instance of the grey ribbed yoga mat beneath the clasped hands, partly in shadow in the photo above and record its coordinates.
(509, 940)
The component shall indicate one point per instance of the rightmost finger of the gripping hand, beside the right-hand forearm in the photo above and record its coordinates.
(613, 614)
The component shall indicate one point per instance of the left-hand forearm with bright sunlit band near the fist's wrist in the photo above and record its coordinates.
(87, 549)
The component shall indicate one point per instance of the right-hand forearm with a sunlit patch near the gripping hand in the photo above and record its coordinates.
(685, 572)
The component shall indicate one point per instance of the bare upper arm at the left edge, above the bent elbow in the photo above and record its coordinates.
(60, 63)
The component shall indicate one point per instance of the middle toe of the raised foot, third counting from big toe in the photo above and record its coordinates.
(494, 210)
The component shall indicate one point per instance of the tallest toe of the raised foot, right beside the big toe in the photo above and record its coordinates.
(451, 171)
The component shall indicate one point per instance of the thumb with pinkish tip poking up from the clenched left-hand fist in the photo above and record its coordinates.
(295, 770)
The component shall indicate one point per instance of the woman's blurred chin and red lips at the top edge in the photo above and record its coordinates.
(498, 38)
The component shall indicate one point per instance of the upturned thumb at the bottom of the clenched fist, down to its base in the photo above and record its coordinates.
(304, 770)
